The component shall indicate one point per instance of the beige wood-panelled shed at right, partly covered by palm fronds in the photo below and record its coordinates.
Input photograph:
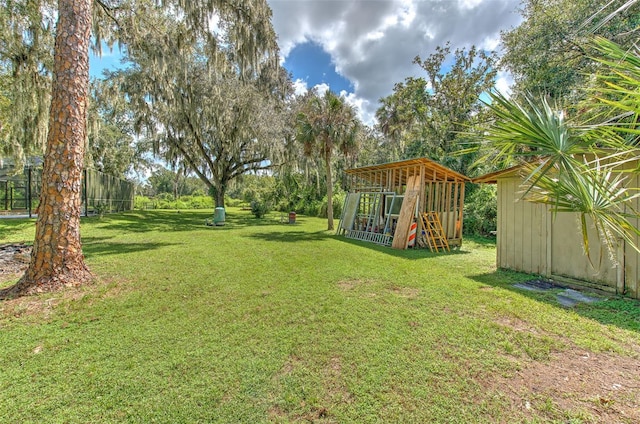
(532, 239)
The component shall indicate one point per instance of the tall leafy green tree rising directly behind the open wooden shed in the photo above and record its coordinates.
(432, 116)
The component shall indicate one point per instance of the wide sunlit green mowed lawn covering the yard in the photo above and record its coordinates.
(259, 321)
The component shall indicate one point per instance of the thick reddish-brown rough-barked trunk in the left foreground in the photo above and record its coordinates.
(57, 258)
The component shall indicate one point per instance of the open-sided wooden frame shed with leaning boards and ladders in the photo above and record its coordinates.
(384, 199)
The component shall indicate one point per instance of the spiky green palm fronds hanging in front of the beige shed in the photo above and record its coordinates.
(576, 166)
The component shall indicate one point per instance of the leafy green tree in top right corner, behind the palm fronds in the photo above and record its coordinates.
(548, 53)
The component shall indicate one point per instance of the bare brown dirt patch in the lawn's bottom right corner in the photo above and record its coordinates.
(595, 387)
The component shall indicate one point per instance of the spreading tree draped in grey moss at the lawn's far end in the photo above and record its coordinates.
(205, 112)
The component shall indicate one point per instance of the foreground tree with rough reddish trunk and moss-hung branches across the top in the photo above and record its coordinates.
(57, 258)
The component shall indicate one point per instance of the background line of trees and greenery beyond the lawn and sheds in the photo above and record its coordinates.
(230, 131)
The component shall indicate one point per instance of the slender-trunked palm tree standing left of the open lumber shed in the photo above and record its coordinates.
(327, 123)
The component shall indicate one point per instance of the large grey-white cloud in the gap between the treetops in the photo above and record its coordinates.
(373, 43)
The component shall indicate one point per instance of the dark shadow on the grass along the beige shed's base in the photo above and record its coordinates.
(614, 310)
